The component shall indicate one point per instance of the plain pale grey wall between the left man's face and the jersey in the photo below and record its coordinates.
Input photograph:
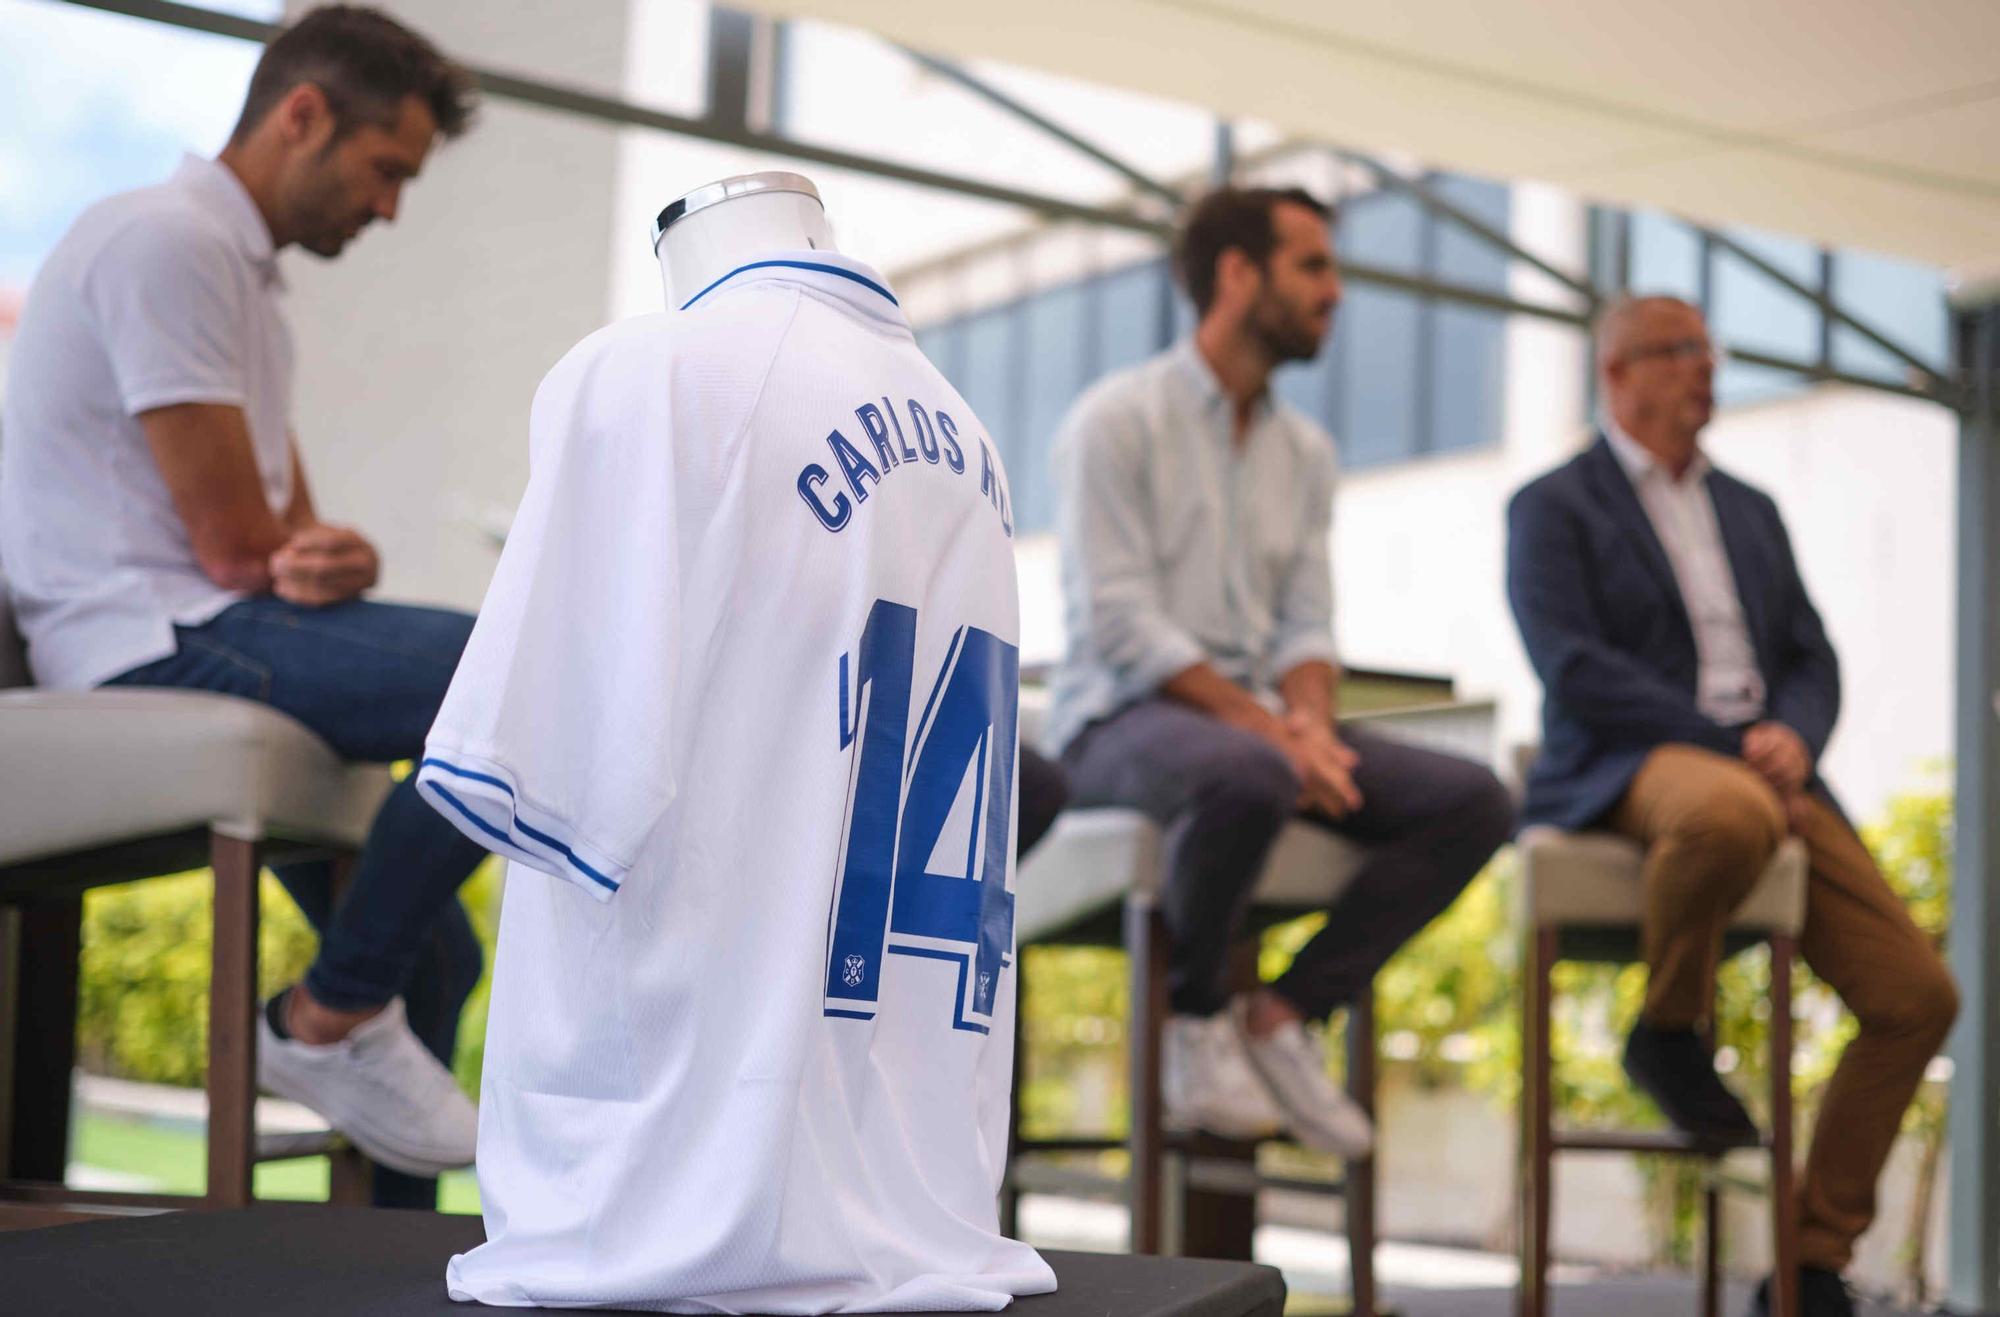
(421, 347)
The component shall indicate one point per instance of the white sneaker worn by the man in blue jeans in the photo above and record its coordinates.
(381, 1088)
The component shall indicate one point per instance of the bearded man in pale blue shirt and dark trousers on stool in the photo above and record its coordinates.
(1201, 678)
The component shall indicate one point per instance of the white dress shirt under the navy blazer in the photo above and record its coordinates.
(1729, 688)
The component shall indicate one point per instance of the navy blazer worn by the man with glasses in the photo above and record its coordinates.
(1607, 631)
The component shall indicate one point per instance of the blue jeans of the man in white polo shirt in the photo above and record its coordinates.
(369, 680)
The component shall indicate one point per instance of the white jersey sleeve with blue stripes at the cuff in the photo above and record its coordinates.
(555, 742)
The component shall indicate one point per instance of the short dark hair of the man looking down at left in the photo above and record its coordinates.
(367, 65)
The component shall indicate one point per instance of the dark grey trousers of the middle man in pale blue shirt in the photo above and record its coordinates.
(1223, 796)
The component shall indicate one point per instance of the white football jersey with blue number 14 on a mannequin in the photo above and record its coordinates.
(747, 684)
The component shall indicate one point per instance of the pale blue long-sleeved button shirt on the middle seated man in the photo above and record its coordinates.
(1183, 547)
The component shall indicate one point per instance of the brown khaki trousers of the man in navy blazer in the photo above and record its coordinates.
(1709, 826)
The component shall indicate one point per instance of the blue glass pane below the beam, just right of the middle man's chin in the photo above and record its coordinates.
(1379, 343)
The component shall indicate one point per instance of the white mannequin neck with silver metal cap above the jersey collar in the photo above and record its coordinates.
(731, 223)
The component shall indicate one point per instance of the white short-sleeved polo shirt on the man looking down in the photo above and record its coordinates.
(155, 297)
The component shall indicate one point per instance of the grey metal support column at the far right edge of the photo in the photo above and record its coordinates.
(1975, 942)
